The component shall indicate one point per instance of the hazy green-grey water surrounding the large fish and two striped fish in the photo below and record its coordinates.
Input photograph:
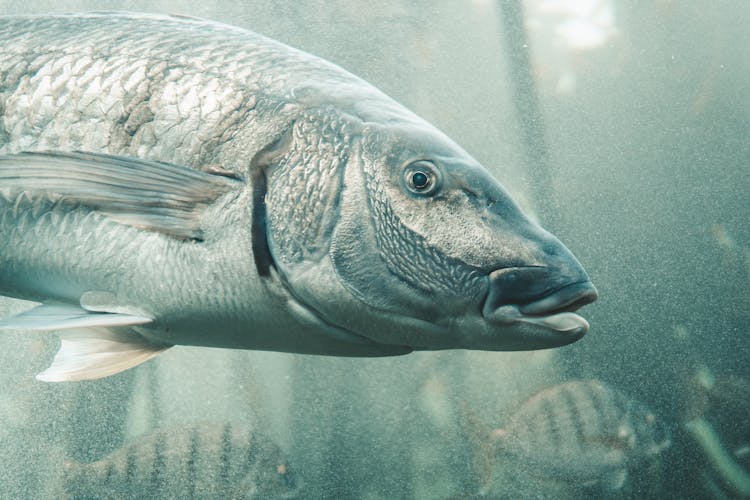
(625, 126)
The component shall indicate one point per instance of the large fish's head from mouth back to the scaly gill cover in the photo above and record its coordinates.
(429, 251)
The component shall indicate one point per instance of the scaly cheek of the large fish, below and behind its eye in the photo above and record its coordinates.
(383, 263)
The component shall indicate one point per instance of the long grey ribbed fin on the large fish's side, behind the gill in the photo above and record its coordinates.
(150, 195)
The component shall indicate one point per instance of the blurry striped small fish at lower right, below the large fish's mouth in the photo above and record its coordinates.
(582, 432)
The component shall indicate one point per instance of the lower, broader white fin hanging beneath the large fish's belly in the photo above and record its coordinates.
(98, 352)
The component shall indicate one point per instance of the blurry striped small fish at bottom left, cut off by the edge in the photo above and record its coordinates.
(198, 461)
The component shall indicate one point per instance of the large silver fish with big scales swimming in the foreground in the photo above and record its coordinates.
(167, 181)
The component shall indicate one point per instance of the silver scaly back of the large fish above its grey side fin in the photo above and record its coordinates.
(186, 91)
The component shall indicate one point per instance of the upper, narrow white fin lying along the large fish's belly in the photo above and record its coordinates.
(61, 316)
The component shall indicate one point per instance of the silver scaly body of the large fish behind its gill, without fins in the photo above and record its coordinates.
(113, 85)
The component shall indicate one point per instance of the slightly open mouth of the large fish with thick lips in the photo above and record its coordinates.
(539, 295)
